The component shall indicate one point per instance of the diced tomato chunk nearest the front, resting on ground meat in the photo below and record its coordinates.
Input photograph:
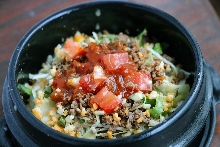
(106, 100)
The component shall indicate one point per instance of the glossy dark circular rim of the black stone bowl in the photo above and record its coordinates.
(173, 21)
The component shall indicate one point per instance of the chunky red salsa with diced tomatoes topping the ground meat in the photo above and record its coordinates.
(105, 71)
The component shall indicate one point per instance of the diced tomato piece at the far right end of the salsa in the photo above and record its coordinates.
(142, 80)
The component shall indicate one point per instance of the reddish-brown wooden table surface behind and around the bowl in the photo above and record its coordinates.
(17, 17)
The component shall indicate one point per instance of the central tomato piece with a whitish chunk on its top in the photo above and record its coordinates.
(92, 81)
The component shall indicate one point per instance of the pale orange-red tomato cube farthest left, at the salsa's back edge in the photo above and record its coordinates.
(73, 49)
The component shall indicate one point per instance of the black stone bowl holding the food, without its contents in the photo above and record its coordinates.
(116, 16)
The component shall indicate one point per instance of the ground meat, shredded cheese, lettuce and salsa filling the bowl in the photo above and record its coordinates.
(106, 86)
